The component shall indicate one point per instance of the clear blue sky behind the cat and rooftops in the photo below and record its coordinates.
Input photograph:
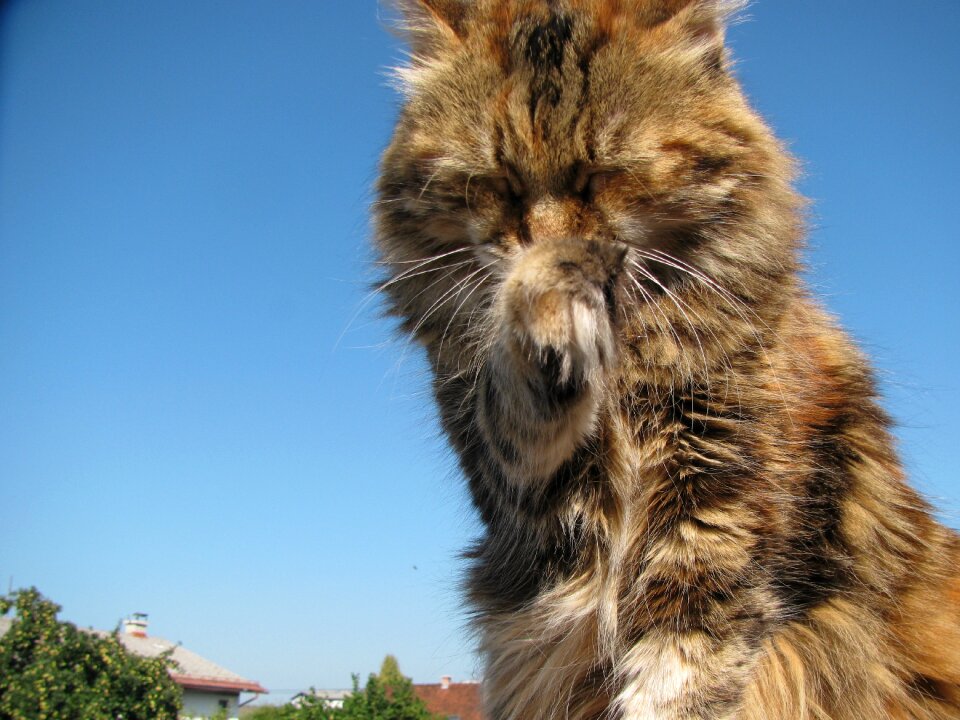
(199, 416)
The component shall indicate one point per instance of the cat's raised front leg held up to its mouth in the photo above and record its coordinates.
(544, 381)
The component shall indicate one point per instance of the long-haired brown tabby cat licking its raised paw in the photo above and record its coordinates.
(690, 499)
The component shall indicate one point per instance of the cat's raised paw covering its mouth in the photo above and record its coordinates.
(558, 314)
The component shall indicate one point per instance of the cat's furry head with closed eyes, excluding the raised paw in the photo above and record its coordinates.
(528, 123)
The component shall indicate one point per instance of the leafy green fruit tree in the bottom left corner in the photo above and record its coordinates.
(50, 670)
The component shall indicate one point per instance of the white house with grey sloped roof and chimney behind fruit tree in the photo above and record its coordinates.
(207, 688)
